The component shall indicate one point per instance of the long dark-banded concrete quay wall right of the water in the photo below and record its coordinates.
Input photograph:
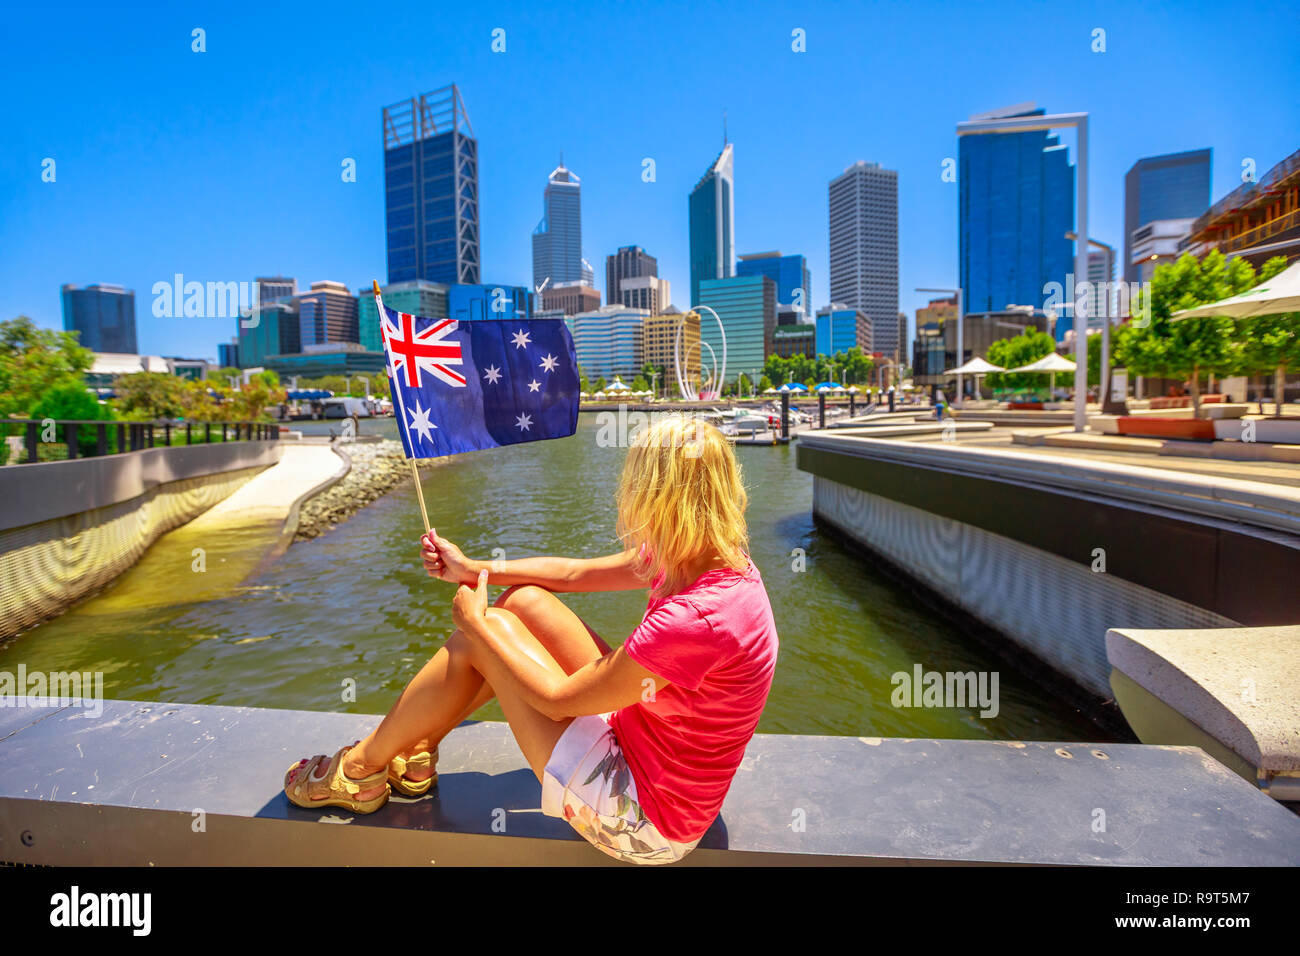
(1051, 553)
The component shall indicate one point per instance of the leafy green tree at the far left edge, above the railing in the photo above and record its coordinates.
(33, 361)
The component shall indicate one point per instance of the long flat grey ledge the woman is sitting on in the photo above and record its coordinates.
(185, 785)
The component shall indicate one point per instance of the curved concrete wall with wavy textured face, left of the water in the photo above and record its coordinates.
(68, 529)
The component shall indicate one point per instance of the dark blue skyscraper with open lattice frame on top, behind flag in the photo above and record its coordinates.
(431, 180)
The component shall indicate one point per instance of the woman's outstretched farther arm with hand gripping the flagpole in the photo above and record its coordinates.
(443, 560)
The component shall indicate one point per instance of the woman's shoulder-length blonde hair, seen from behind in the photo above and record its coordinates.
(681, 500)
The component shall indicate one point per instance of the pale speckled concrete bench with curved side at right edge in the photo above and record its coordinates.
(1234, 693)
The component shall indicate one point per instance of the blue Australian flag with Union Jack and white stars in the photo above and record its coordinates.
(467, 386)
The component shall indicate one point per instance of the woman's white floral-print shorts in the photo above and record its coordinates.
(590, 785)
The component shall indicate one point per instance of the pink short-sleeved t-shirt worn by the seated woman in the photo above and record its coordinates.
(716, 641)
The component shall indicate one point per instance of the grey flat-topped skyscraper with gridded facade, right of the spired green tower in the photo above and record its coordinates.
(864, 213)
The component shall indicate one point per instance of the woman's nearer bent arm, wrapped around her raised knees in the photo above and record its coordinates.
(608, 684)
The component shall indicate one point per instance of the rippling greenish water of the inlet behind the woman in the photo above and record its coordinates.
(356, 605)
